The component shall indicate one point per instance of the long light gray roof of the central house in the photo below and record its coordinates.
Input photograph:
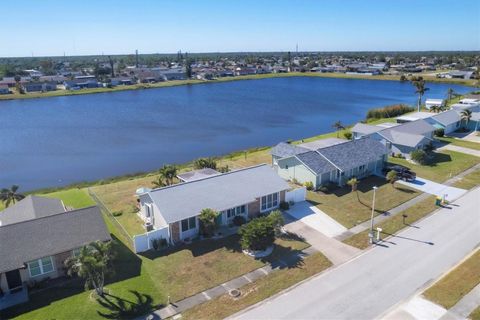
(219, 192)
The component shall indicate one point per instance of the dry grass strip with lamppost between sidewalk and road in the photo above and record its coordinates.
(395, 223)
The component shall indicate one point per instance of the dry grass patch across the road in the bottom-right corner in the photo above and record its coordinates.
(457, 283)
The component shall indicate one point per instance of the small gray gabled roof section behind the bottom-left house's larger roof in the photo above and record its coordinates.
(31, 207)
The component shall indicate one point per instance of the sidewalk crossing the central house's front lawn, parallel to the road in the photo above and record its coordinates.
(204, 296)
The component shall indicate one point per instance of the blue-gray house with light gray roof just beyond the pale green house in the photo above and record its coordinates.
(400, 139)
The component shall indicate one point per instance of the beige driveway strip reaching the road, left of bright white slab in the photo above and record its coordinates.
(336, 251)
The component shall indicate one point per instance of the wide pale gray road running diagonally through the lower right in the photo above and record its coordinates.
(369, 285)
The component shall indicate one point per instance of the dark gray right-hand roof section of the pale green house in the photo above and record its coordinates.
(354, 153)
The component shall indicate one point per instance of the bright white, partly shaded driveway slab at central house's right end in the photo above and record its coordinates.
(316, 219)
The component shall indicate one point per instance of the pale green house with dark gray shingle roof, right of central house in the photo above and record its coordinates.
(335, 163)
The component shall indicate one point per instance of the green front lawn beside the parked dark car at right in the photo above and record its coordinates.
(444, 165)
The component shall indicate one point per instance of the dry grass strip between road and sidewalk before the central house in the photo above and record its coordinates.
(259, 290)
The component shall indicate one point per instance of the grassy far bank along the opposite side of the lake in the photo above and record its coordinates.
(175, 83)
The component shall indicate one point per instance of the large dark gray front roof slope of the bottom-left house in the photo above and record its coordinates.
(33, 239)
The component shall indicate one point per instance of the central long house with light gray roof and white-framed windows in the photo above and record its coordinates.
(246, 192)
